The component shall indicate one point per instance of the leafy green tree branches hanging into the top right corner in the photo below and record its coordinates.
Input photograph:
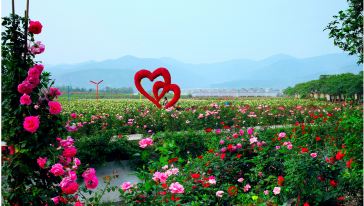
(347, 29)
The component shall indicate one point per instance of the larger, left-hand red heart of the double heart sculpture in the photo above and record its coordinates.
(151, 76)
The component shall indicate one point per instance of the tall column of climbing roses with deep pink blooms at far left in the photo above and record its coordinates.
(39, 167)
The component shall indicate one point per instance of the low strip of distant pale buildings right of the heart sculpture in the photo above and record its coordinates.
(252, 92)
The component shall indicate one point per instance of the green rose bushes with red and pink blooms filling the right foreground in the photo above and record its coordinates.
(311, 170)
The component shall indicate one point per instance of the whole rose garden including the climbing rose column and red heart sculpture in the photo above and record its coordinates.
(251, 151)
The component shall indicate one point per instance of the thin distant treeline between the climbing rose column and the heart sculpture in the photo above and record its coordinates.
(110, 90)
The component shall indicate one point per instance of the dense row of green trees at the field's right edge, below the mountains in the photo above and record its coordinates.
(343, 85)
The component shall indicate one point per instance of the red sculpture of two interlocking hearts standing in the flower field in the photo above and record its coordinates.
(166, 86)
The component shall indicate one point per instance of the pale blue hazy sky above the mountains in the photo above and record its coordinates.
(192, 31)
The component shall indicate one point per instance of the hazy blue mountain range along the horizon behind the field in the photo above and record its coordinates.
(278, 71)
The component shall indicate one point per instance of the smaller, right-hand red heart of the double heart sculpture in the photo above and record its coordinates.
(166, 88)
